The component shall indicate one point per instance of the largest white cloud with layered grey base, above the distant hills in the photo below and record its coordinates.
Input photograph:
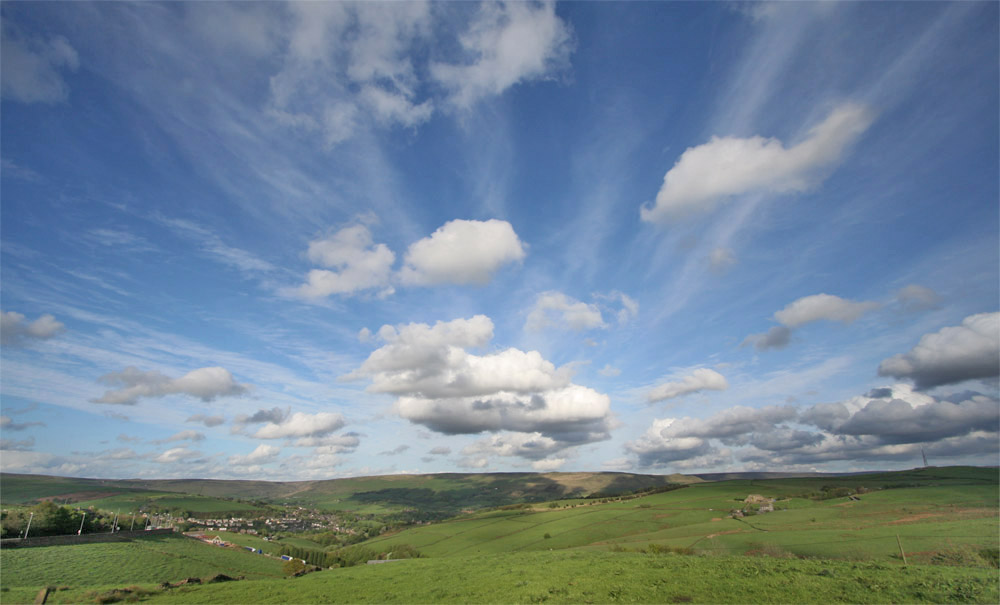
(441, 385)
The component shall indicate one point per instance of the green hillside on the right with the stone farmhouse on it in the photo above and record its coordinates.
(953, 510)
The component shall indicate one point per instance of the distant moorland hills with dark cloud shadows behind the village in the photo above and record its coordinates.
(440, 494)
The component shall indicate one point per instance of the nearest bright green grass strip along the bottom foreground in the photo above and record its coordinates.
(602, 577)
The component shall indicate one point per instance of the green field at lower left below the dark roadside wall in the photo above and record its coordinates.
(151, 559)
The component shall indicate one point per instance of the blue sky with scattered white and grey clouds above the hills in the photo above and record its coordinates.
(308, 241)
